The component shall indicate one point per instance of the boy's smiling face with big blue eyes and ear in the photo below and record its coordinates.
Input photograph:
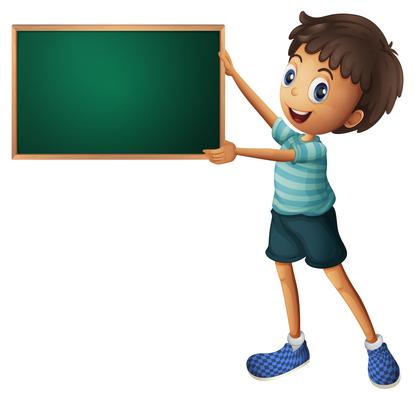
(316, 99)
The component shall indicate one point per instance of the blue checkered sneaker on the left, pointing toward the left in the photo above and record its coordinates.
(271, 365)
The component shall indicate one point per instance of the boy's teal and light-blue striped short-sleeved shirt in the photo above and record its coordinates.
(301, 186)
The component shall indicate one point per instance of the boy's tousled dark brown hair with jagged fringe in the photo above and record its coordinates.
(360, 48)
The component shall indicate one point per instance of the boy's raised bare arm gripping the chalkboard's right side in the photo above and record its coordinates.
(265, 112)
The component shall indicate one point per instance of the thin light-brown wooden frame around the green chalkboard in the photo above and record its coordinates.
(17, 28)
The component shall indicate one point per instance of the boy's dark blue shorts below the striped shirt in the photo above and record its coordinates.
(293, 237)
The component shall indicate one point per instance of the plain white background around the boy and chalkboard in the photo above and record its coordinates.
(148, 279)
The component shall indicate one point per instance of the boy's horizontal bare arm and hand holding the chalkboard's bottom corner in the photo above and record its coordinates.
(229, 151)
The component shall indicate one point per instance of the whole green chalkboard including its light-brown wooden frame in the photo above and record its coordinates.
(155, 91)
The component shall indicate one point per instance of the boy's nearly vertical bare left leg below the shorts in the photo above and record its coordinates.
(292, 304)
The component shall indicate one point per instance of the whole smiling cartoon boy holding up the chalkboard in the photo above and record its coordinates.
(342, 75)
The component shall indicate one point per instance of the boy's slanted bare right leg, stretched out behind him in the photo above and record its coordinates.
(341, 282)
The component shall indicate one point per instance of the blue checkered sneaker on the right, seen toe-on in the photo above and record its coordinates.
(383, 369)
